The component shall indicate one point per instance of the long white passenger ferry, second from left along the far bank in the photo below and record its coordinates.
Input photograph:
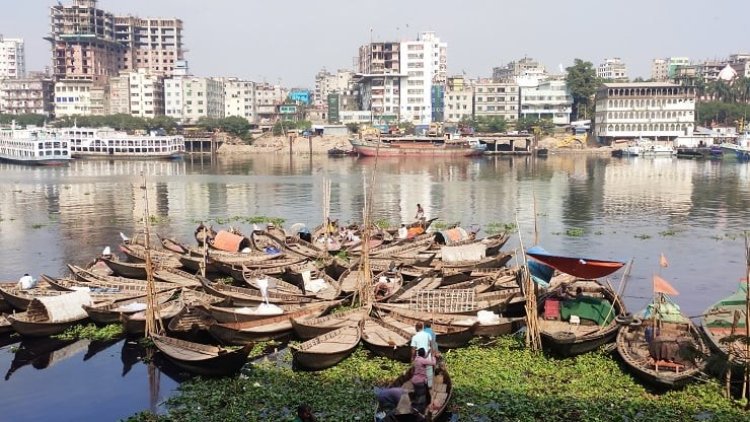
(111, 144)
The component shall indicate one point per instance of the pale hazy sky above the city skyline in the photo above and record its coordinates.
(289, 41)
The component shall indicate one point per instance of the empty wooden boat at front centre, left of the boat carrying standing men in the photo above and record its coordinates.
(328, 349)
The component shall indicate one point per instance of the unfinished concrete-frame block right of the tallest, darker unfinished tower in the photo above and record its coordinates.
(154, 44)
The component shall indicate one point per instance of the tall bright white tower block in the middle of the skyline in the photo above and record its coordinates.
(425, 63)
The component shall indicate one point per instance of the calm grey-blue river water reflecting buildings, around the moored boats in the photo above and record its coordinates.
(694, 212)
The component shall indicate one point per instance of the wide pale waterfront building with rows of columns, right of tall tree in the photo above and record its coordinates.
(644, 109)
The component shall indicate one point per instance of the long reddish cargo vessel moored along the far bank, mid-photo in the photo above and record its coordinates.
(424, 146)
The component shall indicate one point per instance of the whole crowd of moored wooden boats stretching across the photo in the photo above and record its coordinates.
(279, 285)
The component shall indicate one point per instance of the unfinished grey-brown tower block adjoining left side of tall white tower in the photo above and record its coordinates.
(380, 78)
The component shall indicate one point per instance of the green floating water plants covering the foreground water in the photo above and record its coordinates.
(492, 382)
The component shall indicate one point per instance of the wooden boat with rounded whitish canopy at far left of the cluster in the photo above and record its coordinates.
(52, 315)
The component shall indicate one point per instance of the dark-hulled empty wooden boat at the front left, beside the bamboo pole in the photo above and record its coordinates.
(202, 359)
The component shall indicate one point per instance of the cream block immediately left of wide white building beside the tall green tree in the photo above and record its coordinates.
(500, 99)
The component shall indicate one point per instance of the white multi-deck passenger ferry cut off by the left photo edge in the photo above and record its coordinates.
(33, 145)
